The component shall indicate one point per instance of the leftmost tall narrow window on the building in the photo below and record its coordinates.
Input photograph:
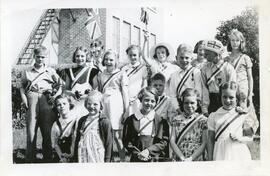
(116, 35)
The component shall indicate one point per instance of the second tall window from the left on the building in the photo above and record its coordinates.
(126, 40)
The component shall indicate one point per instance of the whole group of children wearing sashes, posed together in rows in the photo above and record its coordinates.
(156, 110)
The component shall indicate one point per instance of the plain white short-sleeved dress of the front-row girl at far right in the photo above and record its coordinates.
(225, 148)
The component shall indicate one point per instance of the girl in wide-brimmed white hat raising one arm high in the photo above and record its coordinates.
(160, 54)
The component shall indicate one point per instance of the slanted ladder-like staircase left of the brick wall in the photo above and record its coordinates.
(36, 37)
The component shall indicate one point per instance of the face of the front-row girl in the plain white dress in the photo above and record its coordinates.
(228, 98)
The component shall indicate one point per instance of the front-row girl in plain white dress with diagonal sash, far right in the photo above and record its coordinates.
(228, 130)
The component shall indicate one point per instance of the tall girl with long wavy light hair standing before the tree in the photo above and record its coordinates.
(241, 63)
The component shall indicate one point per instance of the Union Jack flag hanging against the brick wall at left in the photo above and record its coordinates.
(92, 24)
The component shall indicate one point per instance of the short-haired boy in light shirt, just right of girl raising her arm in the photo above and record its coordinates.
(187, 76)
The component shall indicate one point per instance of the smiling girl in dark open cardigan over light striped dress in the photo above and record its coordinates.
(93, 133)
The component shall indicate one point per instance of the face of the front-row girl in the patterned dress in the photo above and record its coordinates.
(190, 105)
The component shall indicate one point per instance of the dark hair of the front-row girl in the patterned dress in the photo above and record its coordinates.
(186, 93)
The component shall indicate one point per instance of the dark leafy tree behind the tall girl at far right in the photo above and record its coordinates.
(247, 23)
